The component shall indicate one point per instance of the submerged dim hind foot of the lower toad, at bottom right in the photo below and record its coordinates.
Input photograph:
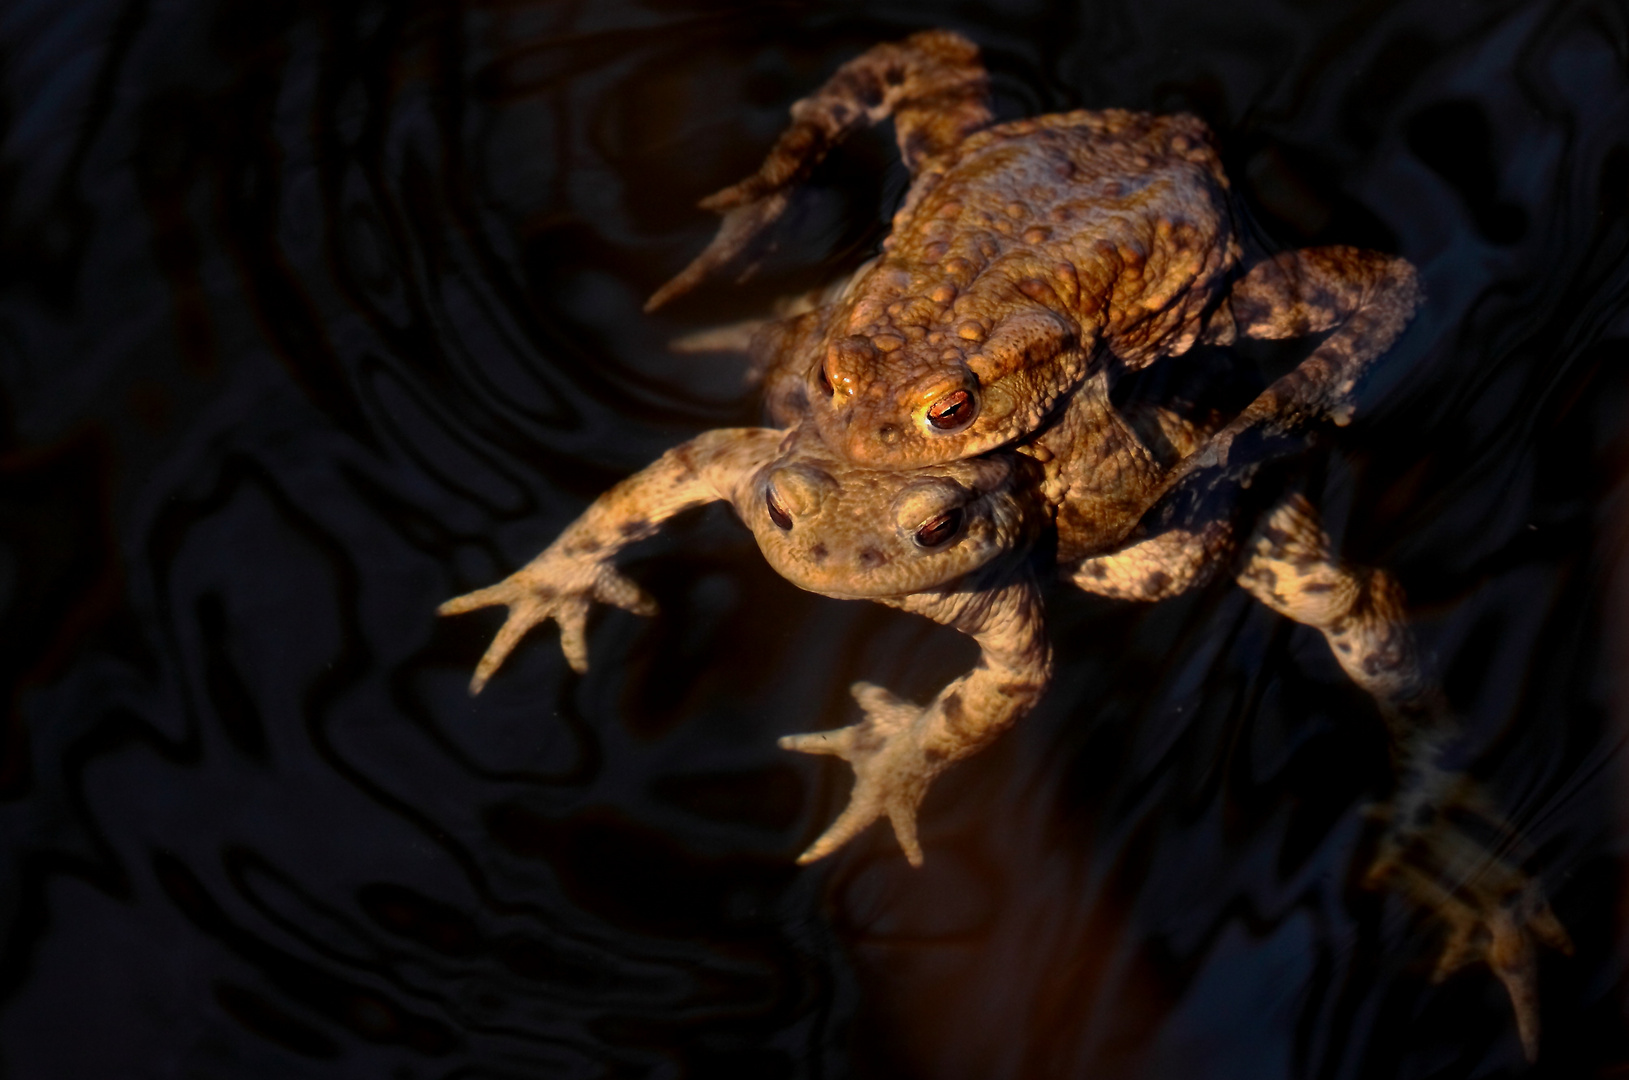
(1493, 910)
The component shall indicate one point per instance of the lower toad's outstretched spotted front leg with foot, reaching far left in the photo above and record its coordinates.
(574, 571)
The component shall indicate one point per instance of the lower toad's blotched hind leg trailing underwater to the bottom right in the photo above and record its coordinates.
(1493, 910)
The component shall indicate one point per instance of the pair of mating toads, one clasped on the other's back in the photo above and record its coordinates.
(949, 406)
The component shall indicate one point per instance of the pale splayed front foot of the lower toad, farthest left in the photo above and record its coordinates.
(551, 587)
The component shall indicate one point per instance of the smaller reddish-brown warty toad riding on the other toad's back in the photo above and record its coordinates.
(1027, 257)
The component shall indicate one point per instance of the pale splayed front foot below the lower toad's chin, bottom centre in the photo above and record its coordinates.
(892, 770)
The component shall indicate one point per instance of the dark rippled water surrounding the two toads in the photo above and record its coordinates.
(317, 315)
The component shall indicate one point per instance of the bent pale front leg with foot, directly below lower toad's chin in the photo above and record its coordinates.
(898, 749)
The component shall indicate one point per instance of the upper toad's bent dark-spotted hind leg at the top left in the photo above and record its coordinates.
(931, 84)
